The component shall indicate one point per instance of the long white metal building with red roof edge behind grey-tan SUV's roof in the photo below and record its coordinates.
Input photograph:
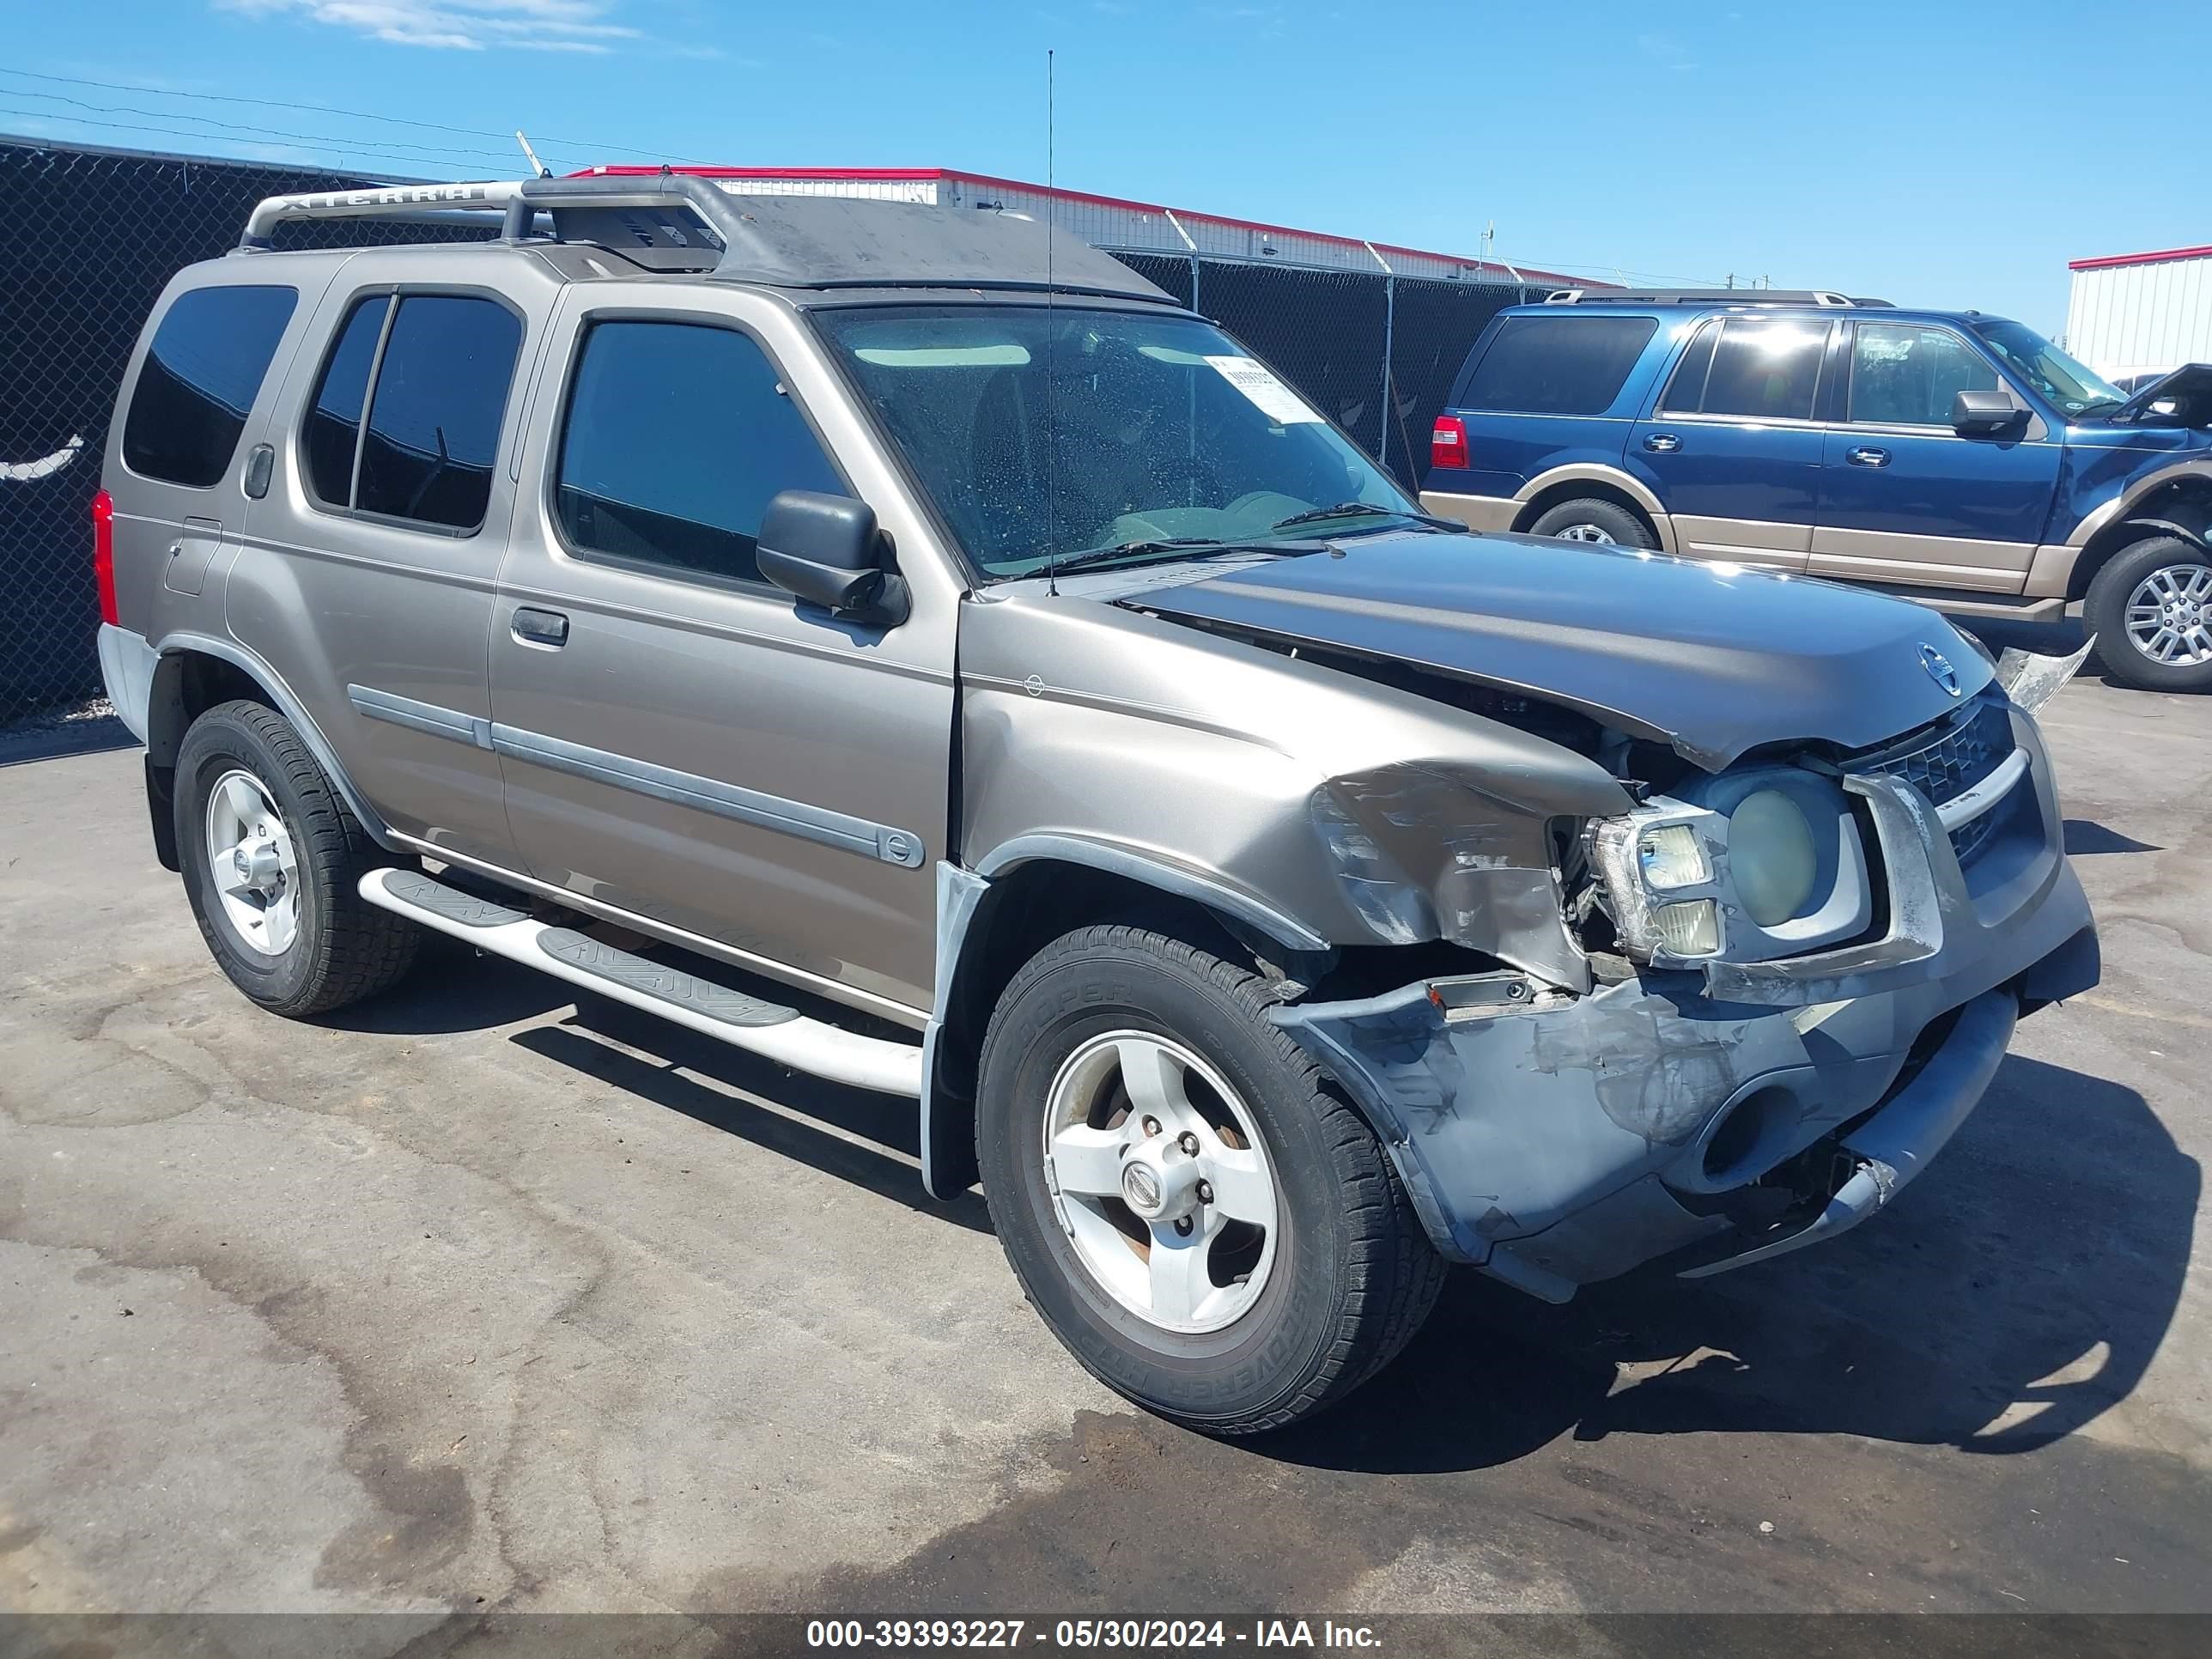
(1116, 222)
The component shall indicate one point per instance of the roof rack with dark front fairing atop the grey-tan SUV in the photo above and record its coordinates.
(678, 222)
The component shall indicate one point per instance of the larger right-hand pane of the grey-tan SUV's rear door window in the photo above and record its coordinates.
(435, 417)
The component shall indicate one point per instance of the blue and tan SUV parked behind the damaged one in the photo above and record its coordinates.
(1948, 457)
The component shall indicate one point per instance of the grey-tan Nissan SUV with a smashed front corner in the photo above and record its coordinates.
(1269, 893)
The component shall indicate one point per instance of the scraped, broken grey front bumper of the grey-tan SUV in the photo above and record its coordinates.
(1724, 1116)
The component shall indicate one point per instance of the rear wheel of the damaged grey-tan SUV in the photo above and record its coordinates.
(271, 864)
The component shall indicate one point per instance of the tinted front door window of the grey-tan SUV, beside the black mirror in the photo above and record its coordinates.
(678, 437)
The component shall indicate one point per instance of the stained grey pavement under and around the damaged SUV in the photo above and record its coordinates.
(481, 1300)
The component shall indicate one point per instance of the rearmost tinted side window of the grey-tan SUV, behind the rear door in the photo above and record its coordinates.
(200, 382)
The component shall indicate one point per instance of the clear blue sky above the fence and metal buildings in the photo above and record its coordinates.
(1932, 154)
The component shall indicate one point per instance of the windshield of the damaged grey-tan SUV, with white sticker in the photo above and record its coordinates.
(1050, 432)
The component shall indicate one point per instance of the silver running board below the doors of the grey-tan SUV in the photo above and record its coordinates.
(700, 1005)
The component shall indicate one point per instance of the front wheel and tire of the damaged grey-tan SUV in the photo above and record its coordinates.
(1185, 1200)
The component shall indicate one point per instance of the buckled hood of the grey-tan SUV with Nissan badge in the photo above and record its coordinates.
(1709, 658)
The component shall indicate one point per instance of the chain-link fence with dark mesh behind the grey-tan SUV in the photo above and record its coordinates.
(90, 238)
